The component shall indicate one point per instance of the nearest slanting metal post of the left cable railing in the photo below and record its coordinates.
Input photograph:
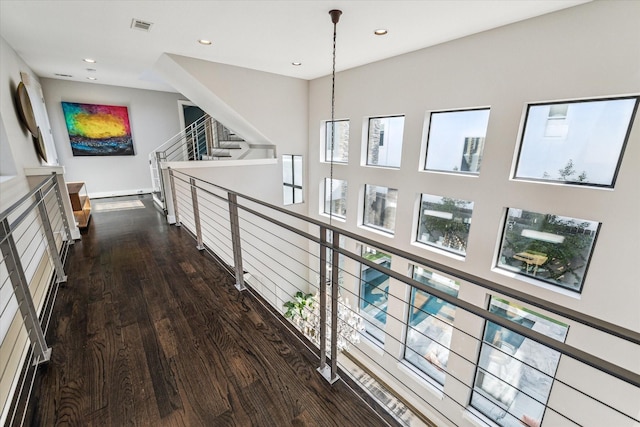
(23, 296)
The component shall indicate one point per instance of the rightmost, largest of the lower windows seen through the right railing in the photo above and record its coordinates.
(515, 374)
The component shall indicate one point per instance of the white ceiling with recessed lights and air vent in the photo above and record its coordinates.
(54, 36)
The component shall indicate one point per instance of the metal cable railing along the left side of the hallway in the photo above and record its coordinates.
(34, 239)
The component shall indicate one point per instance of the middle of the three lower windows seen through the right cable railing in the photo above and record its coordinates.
(429, 326)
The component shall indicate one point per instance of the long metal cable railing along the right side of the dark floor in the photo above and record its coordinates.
(422, 351)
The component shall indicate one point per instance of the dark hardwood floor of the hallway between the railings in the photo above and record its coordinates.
(149, 331)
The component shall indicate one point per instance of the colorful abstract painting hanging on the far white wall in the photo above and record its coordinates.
(98, 130)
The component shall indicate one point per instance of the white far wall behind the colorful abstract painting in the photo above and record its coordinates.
(153, 117)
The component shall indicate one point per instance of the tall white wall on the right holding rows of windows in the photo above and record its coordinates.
(582, 52)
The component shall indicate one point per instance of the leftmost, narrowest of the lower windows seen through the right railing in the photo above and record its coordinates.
(374, 292)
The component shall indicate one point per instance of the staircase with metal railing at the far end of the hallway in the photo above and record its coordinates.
(204, 140)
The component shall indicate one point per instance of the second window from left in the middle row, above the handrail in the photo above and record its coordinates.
(380, 207)
